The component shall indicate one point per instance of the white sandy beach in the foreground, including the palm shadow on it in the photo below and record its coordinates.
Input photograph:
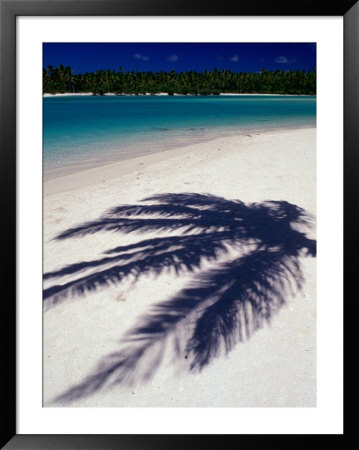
(123, 328)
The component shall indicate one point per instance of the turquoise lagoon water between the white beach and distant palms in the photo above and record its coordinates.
(88, 130)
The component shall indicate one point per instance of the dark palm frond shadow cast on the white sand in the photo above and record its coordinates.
(254, 251)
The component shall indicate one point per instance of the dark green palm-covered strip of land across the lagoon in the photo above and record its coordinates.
(61, 79)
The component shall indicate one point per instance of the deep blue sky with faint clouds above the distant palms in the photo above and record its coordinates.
(245, 57)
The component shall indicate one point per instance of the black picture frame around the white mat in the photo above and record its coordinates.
(9, 10)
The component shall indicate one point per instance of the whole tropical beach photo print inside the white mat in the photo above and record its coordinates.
(179, 225)
